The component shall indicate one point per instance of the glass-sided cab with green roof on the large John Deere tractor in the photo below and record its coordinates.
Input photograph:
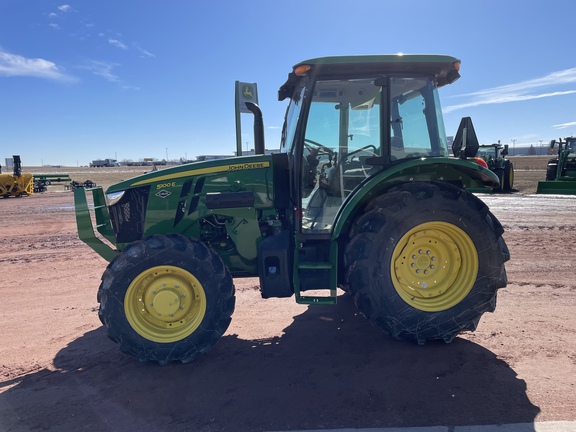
(350, 118)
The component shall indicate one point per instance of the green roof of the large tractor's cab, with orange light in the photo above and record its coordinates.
(444, 68)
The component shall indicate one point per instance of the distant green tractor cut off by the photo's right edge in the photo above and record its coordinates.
(561, 170)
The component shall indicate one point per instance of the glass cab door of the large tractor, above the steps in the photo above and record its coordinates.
(342, 131)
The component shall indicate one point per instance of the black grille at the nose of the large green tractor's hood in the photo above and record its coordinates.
(128, 215)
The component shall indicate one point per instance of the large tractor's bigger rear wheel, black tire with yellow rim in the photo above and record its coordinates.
(425, 261)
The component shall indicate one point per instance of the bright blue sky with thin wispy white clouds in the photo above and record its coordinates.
(83, 80)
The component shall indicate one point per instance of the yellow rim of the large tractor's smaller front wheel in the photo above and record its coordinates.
(165, 304)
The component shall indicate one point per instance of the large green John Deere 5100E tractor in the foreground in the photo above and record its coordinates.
(363, 196)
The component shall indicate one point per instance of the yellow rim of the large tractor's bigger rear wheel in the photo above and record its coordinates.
(434, 266)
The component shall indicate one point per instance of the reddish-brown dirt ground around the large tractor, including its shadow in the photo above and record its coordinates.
(283, 366)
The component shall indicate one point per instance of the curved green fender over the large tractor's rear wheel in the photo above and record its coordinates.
(462, 172)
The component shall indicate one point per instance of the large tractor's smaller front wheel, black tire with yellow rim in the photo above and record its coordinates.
(166, 298)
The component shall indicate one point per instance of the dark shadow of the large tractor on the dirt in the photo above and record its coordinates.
(330, 369)
